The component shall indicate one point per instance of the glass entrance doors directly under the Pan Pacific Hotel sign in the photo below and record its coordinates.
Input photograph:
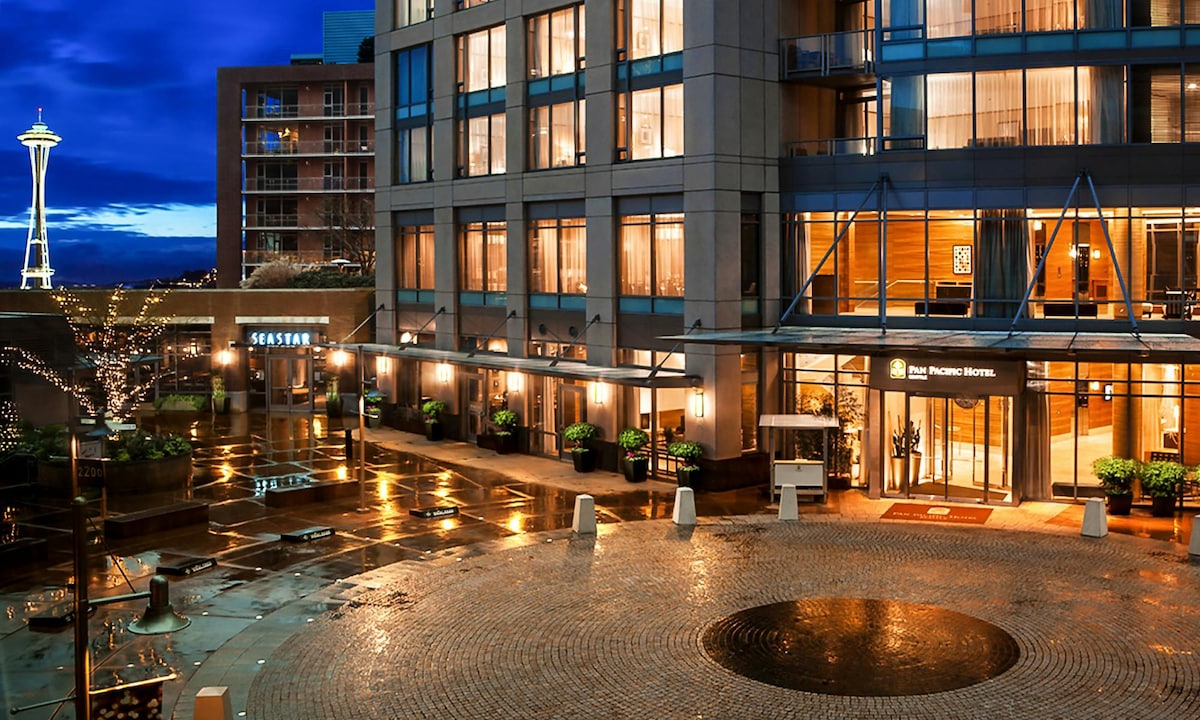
(956, 449)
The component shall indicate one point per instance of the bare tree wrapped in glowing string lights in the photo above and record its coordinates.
(110, 346)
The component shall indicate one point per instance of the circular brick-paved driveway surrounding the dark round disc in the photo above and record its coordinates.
(611, 627)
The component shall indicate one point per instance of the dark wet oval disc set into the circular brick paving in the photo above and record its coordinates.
(855, 646)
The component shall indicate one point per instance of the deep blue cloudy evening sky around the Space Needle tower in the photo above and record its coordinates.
(131, 87)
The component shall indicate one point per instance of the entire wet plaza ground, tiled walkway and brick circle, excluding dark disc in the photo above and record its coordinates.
(382, 619)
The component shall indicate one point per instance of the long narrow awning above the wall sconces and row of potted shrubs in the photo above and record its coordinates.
(575, 370)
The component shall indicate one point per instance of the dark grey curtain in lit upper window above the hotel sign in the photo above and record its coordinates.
(1003, 263)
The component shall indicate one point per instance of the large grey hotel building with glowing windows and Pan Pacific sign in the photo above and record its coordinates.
(968, 232)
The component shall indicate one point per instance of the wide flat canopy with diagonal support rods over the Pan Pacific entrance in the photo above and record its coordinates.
(1031, 345)
